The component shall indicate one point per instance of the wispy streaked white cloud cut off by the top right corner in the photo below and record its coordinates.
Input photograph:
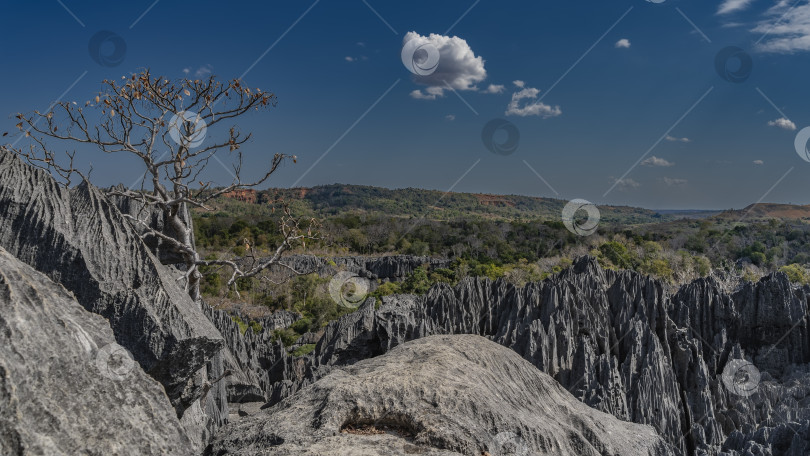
(786, 33)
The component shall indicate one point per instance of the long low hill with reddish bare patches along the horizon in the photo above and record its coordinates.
(339, 199)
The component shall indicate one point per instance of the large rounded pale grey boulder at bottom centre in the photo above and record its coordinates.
(437, 395)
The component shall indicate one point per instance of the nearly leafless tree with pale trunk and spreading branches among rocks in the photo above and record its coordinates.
(166, 124)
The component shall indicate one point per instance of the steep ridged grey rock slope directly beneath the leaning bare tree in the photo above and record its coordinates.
(79, 239)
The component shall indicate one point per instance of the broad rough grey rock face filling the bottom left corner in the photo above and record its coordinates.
(66, 387)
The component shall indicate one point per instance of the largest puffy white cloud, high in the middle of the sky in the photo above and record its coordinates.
(458, 66)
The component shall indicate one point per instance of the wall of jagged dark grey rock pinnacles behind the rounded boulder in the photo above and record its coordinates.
(620, 342)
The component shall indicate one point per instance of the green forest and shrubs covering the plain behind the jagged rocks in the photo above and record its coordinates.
(518, 239)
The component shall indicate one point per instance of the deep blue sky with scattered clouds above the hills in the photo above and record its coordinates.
(593, 86)
